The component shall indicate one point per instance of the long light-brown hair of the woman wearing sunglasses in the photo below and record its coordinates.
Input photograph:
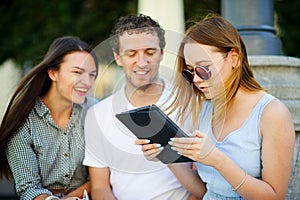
(215, 31)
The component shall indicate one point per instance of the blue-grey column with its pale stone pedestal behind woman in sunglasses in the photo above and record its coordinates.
(254, 19)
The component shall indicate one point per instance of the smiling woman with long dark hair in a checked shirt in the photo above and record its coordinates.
(41, 134)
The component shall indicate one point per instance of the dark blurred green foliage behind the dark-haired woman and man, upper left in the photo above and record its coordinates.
(28, 27)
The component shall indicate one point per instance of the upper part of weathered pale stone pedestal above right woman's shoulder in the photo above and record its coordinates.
(281, 76)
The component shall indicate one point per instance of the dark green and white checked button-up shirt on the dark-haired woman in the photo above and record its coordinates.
(43, 156)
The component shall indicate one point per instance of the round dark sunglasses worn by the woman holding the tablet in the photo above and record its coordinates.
(202, 71)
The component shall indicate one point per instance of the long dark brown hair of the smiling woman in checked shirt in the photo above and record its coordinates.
(34, 85)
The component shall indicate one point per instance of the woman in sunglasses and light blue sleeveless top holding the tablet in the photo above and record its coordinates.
(244, 137)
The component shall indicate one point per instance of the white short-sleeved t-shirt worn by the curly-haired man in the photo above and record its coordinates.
(110, 144)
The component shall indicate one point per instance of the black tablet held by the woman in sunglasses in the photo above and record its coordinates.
(150, 122)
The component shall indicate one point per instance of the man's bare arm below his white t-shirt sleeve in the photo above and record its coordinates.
(100, 183)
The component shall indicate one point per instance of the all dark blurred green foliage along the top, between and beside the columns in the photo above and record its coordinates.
(28, 27)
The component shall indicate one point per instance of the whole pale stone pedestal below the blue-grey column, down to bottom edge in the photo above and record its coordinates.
(281, 76)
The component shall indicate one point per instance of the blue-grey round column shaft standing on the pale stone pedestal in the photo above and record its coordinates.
(254, 20)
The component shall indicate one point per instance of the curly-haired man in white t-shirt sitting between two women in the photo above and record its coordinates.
(117, 167)
